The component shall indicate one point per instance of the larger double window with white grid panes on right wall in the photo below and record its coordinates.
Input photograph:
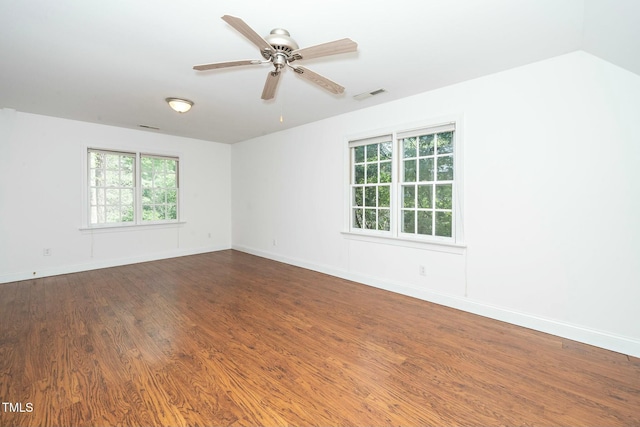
(403, 184)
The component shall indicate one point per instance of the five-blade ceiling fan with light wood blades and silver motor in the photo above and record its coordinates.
(281, 50)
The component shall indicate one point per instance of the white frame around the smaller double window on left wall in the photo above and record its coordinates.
(138, 222)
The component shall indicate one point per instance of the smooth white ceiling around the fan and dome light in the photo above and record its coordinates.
(114, 62)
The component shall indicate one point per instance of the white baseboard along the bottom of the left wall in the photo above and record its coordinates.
(106, 263)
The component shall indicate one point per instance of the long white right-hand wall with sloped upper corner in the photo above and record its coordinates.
(551, 200)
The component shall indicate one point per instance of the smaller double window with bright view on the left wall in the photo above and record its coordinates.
(131, 188)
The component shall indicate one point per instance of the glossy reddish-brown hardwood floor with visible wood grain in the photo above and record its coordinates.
(227, 338)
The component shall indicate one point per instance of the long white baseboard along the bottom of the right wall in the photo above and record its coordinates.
(609, 341)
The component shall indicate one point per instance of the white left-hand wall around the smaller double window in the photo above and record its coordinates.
(41, 193)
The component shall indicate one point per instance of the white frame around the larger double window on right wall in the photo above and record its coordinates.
(395, 235)
